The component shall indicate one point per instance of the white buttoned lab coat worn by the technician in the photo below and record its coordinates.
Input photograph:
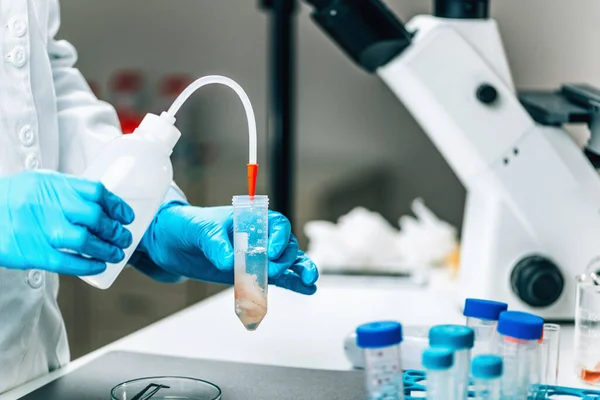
(49, 119)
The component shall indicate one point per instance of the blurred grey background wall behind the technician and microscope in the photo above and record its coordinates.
(356, 144)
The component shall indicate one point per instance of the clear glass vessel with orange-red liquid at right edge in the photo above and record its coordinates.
(587, 329)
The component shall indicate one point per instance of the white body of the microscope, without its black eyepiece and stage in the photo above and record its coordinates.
(531, 190)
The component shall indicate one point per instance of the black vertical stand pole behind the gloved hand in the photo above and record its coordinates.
(281, 103)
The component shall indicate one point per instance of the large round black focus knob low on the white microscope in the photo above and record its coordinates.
(537, 281)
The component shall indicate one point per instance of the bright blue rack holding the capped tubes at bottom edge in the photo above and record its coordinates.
(414, 389)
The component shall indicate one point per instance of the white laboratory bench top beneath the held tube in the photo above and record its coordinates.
(299, 331)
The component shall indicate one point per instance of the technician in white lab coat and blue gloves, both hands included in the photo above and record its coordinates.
(51, 126)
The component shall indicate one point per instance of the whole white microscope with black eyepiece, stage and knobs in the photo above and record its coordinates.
(532, 217)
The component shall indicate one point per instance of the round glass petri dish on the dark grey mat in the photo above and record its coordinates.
(166, 388)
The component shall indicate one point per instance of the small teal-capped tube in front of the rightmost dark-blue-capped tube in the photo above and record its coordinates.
(487, 372)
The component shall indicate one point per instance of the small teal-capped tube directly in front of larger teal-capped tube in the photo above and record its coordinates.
(438, 362)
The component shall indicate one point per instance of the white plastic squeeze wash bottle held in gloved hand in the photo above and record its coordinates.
(137, 168)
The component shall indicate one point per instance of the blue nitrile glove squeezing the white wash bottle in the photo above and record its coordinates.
(44, 212)
